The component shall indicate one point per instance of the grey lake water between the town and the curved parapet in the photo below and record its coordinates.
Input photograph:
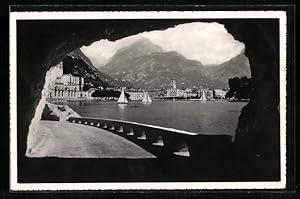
(218, 116)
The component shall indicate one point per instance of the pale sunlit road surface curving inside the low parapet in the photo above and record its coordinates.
(67, 140)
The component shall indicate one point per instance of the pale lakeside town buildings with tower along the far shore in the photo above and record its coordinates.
(70, 87)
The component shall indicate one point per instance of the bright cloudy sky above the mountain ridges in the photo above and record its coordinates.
(209, 43)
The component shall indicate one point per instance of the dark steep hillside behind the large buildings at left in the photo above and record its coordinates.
(78, 64)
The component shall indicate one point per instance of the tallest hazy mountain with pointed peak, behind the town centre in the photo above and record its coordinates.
(146, 65)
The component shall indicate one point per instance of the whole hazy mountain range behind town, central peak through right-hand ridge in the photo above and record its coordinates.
(146, 65)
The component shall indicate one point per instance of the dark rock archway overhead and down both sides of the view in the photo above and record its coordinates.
(42, 44)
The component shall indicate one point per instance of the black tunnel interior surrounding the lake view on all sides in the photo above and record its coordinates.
(43, 44)
